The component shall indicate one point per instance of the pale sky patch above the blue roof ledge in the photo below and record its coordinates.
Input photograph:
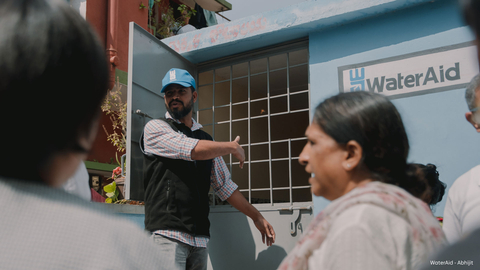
(244, 8)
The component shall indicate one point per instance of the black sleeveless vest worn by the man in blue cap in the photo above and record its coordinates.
(176, 191)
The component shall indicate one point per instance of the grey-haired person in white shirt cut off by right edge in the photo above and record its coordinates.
(462, 210)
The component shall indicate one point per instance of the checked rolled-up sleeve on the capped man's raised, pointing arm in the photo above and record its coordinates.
(161, 140)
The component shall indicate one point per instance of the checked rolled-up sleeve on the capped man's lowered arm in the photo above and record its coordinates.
(220, 180)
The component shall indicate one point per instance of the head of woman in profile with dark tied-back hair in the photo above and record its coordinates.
(357, 137)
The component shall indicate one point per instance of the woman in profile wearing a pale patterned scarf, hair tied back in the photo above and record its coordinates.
(357, 154)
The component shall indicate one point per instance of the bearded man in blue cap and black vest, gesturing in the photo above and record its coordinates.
(182, 162)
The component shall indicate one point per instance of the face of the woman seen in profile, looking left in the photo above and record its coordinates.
(323, 157)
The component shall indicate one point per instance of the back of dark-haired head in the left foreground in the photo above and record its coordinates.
(54, 78)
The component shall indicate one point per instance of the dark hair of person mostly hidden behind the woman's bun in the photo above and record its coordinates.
(430, 174)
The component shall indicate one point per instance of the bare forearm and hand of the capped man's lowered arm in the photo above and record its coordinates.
(240, 203)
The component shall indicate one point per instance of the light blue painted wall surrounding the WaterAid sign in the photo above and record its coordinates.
(435, 123)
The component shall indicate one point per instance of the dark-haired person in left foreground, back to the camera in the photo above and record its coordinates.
(54, 66)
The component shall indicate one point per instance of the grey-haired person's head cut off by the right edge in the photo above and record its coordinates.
(473, 102)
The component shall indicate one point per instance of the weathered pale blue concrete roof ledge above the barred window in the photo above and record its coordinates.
(277, 26)
